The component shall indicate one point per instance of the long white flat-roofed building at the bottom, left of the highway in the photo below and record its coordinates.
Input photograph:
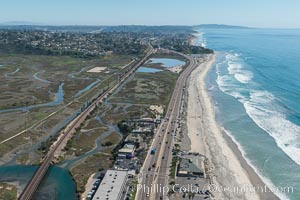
(112, 186)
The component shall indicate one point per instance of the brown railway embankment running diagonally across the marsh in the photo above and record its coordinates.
(33, 184)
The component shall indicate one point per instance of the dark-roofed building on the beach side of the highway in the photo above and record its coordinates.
(187, 168)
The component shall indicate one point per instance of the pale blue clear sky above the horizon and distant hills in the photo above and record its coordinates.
(251, 13)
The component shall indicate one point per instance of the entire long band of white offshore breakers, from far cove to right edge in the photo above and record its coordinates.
(260, 105)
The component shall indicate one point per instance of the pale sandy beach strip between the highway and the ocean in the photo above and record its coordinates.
(227, 168)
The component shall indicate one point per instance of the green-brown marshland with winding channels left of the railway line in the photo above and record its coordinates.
(19, 88)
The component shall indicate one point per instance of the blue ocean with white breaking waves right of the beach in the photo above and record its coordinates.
(255, 86)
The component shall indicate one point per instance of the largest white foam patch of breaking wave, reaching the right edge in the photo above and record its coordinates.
(260, 108)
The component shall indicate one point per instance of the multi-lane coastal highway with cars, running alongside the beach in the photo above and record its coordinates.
(156, 167)
